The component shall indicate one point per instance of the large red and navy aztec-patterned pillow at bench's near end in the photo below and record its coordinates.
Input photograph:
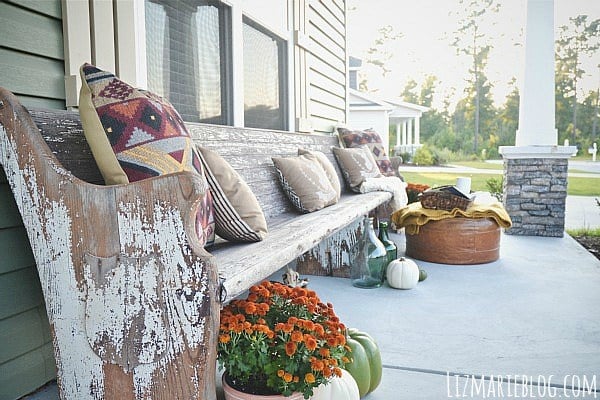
(135, 134)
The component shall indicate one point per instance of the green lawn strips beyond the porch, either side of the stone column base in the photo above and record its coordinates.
(576, 186)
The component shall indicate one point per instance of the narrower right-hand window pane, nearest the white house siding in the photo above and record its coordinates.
(264, 74)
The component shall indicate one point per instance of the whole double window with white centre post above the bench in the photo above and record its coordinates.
(191, 50)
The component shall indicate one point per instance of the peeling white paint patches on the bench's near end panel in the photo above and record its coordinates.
(138, 311)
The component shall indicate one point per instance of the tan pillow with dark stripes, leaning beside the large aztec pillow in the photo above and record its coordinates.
(238, 216)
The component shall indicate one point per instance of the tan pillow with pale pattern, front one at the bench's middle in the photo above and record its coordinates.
(305, 182)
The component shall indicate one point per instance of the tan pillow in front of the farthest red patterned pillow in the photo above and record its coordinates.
(357, 164)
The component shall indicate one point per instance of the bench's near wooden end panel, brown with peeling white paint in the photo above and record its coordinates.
(155, 337)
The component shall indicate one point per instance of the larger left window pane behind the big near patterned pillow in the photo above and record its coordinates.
(187, 57)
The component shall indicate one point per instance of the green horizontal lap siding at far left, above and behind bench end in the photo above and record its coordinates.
(32, 67)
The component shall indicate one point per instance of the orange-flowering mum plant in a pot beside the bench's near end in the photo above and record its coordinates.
(280, 341)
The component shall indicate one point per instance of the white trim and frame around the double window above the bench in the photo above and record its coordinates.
(131, 51)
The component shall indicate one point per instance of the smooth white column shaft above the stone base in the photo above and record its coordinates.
(536, 110)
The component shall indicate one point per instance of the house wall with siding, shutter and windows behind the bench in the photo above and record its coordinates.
(276, 64)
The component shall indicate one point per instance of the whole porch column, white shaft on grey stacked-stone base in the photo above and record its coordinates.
(535, 170)
